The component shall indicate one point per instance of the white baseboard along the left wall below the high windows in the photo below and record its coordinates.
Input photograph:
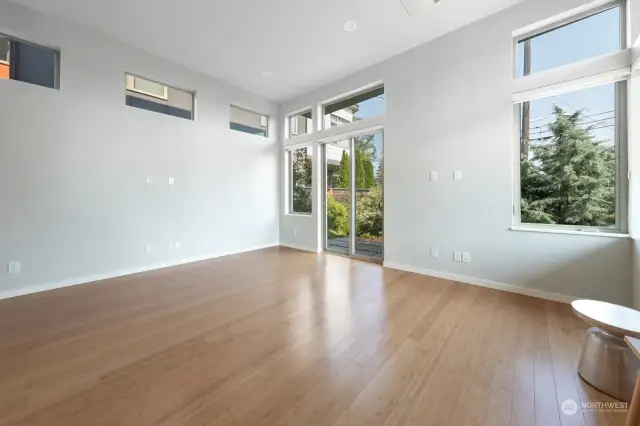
(114, 274)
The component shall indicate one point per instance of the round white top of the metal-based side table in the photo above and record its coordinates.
(614, 319)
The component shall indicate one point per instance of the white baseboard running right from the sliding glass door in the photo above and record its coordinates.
(540, 294)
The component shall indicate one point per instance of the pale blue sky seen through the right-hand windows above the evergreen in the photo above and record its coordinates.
(591, 37)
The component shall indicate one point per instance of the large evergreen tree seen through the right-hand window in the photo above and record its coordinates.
(569, 180)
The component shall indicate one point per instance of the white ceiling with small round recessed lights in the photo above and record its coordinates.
(301, 42)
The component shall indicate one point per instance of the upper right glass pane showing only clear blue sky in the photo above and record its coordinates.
(590, 37)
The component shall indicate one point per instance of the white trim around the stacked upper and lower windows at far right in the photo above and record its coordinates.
(601, 70)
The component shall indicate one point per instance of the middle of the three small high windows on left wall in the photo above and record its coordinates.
(157, 97)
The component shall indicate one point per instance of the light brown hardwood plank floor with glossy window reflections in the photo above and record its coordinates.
(283, 337)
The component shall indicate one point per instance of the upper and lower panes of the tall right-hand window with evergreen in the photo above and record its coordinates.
(573, 158)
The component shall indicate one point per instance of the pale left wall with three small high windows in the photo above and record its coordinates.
(74, 162)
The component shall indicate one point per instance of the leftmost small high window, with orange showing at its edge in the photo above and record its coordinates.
(29, 63)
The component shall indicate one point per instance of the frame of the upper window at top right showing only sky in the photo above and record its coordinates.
(569, 20)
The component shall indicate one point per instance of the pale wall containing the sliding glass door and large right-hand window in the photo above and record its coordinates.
(449, 107)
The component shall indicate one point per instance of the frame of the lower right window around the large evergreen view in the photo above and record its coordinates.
(622, 171)
